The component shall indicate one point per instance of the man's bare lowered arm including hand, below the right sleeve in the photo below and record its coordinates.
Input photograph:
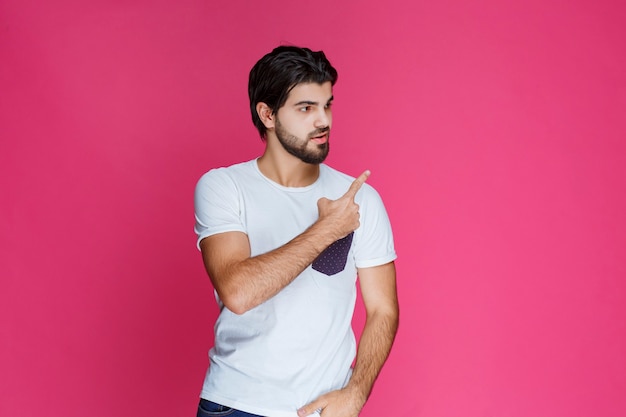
(378, 289)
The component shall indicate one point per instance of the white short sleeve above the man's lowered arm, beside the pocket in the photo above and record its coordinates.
(374, 238)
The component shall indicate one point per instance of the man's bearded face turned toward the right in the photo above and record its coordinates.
(303, 123)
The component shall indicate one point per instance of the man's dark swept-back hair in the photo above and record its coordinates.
(274, 76)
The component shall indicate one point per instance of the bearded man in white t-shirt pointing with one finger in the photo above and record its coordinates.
(283, 238)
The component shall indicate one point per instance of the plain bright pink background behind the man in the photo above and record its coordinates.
(495, 134)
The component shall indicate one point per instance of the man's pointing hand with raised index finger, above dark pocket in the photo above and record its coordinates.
(341, 216)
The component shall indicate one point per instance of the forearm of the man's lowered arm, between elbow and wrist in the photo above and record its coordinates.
(374, 347)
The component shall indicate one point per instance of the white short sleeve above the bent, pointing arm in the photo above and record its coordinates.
(216, 205)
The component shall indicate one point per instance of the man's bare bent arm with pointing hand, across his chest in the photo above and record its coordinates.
(243, 282)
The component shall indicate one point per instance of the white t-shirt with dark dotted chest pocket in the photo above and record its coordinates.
(284, 353)
